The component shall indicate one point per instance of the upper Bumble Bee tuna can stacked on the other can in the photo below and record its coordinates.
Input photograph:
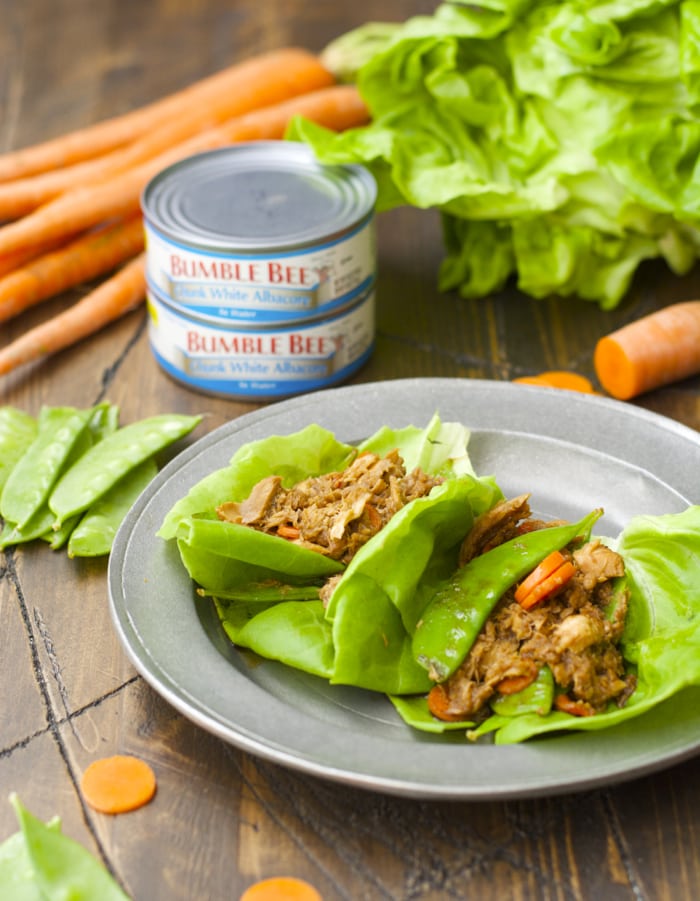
(260, 233)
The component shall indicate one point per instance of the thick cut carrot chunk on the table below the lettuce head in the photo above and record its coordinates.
(650, 352)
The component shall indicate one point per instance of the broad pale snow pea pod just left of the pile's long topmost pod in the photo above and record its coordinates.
(33, 477)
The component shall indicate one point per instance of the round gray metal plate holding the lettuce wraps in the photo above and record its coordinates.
(572, 452)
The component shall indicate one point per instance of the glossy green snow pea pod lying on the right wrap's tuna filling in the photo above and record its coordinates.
(456, 613)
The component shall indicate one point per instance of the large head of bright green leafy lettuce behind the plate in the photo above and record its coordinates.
(503, 116)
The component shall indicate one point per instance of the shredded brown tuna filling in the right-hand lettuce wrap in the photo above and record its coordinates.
(572, 633)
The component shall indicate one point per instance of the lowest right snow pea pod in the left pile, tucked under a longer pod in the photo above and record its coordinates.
(94, 534)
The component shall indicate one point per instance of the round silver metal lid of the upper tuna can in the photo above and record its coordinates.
(271, 194)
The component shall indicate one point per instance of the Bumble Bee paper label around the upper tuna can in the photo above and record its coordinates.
(262, 287)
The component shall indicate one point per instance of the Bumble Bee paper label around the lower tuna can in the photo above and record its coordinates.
(263, 363)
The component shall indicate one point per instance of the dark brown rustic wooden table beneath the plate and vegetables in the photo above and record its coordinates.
(221, 818)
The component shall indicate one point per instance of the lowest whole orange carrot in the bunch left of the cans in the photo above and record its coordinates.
(112, 299)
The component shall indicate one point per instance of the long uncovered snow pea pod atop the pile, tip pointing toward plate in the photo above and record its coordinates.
(103, 465)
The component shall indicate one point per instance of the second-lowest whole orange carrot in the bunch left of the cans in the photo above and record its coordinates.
(90, 255)
